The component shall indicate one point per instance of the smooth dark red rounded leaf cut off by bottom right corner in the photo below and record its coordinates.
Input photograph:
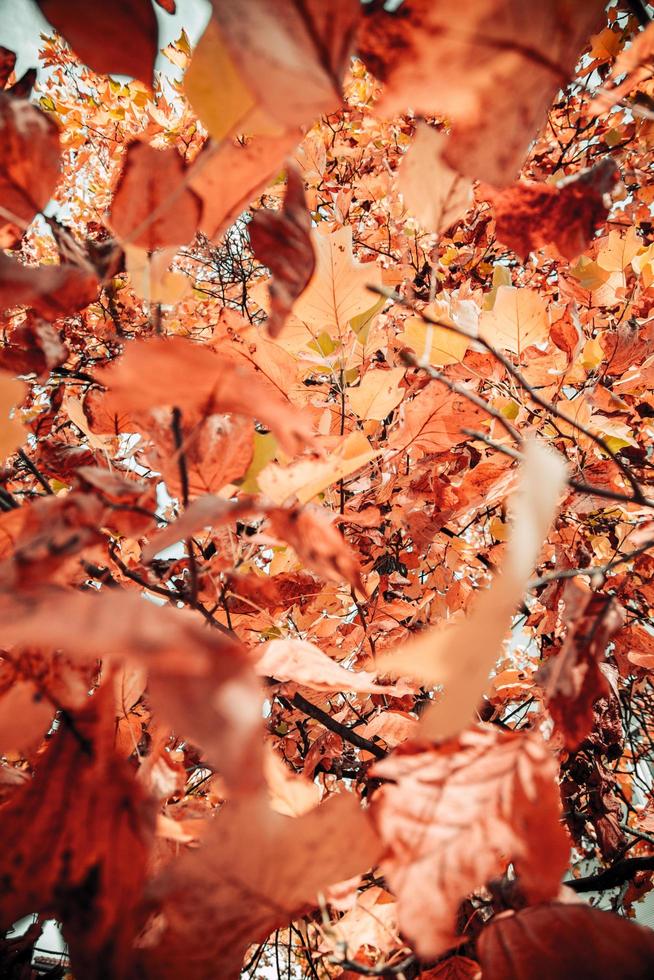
(565, 941)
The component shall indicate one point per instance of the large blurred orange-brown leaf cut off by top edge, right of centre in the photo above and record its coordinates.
(461, 60)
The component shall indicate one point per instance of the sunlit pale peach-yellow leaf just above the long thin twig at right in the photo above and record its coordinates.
(517, 320)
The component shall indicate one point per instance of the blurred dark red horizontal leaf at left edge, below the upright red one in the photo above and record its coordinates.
(52, 290)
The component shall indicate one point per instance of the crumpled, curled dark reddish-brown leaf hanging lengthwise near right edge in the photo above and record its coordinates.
(571, 678)
